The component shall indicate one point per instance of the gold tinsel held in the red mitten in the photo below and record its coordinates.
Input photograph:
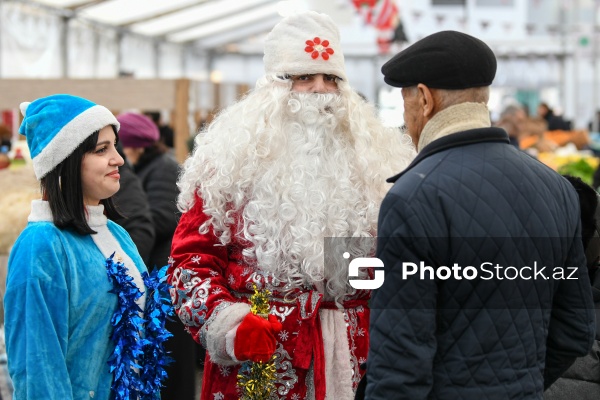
(256, 380)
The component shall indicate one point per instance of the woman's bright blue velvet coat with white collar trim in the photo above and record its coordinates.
(58, 309)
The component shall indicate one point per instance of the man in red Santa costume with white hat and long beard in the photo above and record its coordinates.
(301, 158)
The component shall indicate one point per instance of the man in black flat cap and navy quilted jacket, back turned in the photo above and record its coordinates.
(486, 293)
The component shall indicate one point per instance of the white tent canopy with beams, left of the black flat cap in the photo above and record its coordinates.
(220, 40)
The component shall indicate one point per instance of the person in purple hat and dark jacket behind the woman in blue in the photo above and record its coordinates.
(158, 172)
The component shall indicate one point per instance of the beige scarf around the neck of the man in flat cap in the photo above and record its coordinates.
(457, 118)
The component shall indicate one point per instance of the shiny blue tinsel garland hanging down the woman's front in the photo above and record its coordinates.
(139, 358)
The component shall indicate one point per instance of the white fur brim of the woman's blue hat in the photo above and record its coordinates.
(70, 137)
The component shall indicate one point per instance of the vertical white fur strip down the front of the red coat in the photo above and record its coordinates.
(338, 371)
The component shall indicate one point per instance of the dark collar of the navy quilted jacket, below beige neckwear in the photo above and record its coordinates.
(472, 136)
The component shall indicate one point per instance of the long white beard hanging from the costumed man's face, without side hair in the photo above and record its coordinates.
(307, 193)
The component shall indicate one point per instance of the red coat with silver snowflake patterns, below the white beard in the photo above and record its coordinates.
(208, 277)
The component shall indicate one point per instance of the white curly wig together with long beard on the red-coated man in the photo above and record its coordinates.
(294, 169)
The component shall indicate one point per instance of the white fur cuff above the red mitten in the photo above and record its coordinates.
(216, 336)
